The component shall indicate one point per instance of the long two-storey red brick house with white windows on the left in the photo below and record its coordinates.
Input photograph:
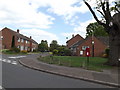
(22, 42)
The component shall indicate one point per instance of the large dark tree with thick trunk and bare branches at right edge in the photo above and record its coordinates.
(111, 25)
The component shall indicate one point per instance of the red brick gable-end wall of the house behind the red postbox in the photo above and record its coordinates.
(99, 47)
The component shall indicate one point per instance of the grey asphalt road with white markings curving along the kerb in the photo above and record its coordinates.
(15, 75)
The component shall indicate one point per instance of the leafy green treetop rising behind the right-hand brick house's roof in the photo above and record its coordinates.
(95, 29)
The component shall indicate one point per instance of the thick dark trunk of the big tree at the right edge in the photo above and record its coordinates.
(114, 42)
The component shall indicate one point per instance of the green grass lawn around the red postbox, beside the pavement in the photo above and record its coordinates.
(95, 63)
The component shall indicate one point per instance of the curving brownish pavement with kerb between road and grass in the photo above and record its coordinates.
(107, 77)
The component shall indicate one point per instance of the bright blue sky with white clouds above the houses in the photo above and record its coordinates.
(46, 19)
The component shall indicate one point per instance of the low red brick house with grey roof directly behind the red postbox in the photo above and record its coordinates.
(97, 46)
